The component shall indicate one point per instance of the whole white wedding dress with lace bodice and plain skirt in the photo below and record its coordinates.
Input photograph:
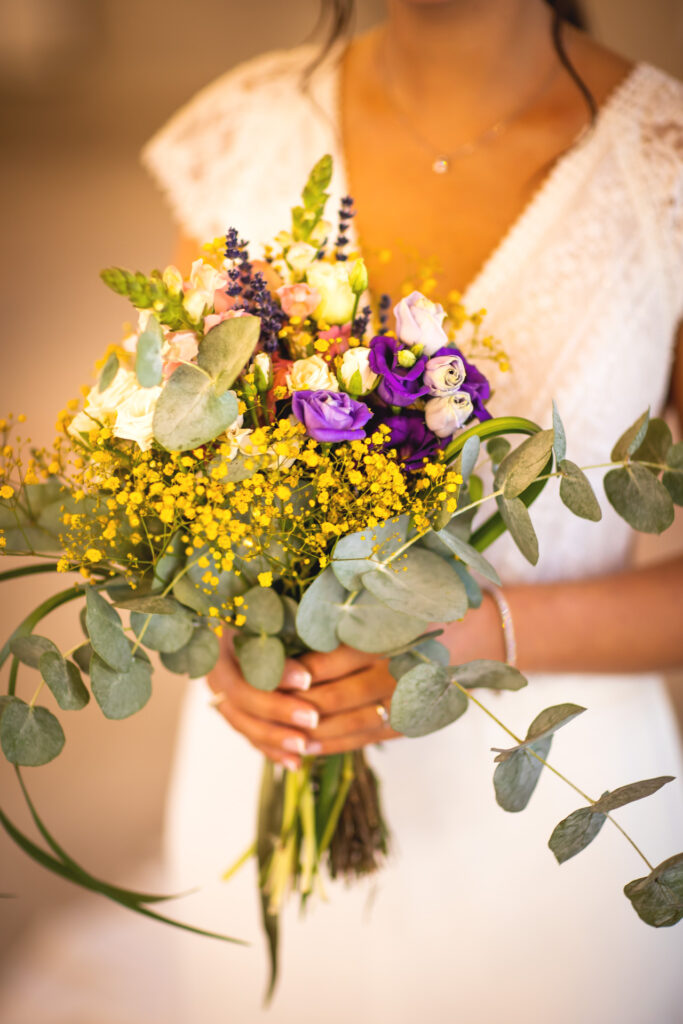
(473, 920)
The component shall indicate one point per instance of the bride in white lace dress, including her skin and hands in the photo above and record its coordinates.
(544, 178)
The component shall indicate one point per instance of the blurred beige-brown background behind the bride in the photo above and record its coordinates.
(83, 83)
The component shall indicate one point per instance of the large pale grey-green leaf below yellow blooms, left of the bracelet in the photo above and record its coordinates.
(421, 582)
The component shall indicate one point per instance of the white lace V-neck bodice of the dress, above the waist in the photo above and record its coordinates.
(585, 290)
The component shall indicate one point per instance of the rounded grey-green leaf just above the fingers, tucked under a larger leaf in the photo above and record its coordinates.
(370, 626)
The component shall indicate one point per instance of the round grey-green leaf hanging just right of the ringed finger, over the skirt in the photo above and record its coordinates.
(425, 701)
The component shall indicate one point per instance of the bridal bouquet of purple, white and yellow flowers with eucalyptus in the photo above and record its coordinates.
(267, 454)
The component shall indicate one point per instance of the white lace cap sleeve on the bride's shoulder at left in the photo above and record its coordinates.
(228, 157)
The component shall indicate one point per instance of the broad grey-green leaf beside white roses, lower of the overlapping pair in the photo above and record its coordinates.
(191, 412)
